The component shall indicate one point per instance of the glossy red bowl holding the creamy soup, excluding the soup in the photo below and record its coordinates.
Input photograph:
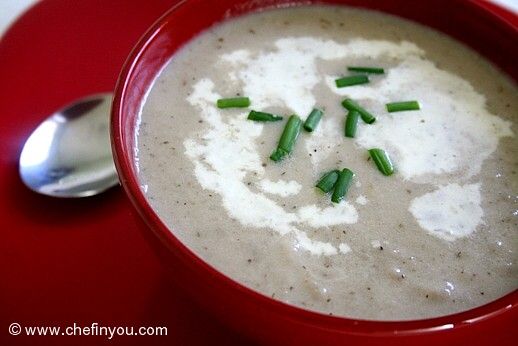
(267, 320)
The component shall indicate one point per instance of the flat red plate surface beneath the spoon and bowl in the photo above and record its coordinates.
(79, 261)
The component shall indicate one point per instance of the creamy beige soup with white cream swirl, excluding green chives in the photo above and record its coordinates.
(437, 237)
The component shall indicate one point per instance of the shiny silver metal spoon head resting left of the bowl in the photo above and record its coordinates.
(69, 154)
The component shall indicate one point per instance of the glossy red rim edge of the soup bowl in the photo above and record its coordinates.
(124, 164)
